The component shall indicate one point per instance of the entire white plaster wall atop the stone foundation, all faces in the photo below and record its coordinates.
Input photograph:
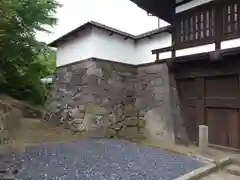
(98, 44)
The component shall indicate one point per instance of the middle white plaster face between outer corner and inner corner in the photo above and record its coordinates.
(113, 48)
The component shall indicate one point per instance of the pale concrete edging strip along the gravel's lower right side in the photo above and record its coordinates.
(203, 171)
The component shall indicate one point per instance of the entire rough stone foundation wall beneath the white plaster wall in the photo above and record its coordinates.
(111, 99)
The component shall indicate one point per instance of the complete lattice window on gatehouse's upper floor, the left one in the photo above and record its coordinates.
(195, 26)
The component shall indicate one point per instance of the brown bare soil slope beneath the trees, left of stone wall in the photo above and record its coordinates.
(27, 128)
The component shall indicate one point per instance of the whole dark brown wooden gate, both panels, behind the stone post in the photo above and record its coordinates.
(213, 101)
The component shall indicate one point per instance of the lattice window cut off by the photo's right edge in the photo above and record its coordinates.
(231, 18)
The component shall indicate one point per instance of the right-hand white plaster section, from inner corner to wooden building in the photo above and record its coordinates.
(146, 45)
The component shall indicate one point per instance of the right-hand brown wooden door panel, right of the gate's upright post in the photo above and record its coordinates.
(221, 101)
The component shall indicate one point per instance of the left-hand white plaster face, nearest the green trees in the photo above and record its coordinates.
(75, 49)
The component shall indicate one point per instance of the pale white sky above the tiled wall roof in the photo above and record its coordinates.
(120, 14)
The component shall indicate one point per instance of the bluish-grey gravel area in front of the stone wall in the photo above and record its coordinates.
(102, 160)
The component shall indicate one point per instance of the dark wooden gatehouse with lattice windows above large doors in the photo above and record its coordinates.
(208, 77)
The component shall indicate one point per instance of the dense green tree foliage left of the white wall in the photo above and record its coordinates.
(24, 60)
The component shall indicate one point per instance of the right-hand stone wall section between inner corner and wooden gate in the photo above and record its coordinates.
(152, 101)
